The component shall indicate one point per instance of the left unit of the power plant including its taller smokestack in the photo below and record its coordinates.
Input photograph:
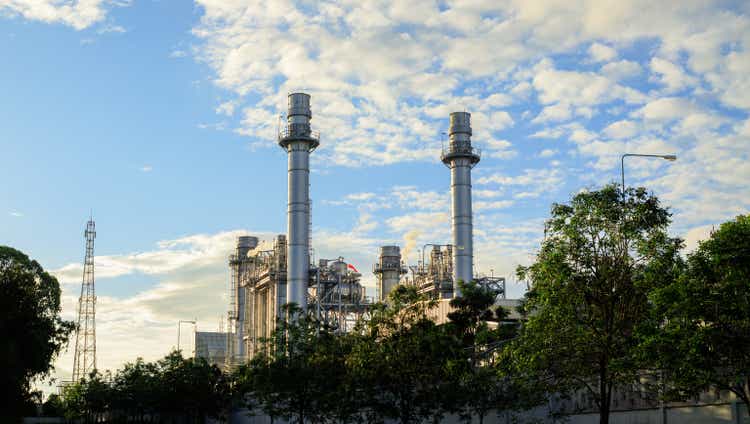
(263, 281)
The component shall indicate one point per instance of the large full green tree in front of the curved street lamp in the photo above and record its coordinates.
(602, 255)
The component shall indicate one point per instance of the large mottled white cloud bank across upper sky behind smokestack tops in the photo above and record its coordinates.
(343, 54)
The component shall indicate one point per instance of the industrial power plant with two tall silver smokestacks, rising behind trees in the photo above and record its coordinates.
(263, 280)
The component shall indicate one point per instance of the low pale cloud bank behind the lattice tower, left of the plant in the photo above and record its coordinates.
(191, 278)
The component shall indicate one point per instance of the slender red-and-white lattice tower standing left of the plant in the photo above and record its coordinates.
(85, 356)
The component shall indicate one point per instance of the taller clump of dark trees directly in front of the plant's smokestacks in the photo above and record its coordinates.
(398, 364)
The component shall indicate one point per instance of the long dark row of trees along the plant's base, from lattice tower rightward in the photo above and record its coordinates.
(398, 364)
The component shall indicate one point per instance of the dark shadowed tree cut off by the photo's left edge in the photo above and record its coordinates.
(31, 329)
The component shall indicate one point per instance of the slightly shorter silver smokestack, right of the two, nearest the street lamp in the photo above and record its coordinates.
(460, 157)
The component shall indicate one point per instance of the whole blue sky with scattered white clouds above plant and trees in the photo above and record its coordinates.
(160, 117)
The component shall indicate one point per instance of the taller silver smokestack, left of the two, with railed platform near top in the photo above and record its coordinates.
(298, 140)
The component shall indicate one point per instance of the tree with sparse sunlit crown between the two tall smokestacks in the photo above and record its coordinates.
(403, 361)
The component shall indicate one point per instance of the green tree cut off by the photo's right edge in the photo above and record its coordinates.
(705, 339)
